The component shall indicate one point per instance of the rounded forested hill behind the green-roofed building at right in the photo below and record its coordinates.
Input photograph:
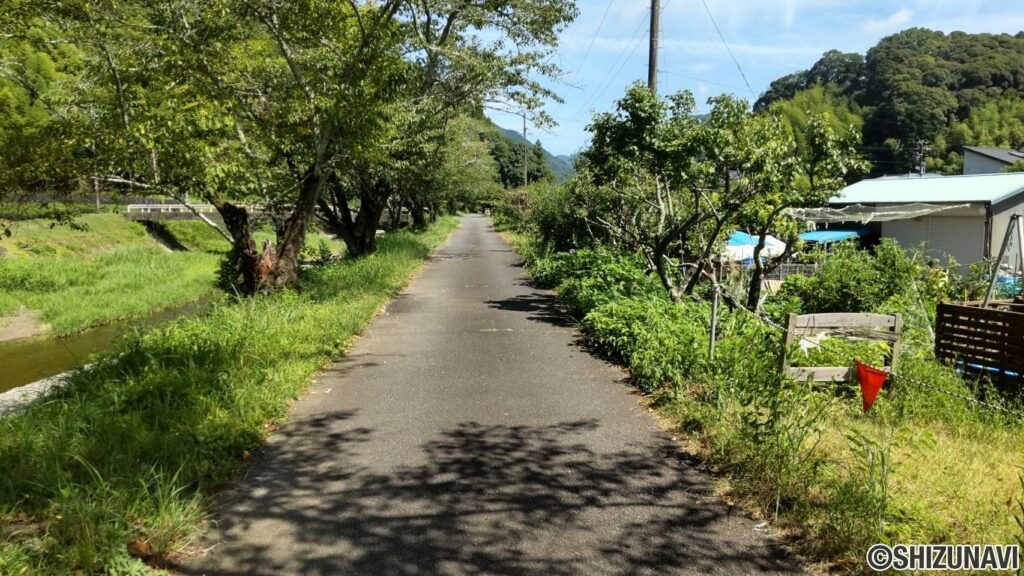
(918, 93)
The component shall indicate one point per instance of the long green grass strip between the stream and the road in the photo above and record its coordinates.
(126, 451)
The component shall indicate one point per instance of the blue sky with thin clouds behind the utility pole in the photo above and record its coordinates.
(770, 38)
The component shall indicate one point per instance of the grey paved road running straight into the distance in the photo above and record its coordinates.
(466, 433)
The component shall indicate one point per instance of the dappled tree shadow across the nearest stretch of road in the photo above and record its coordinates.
(480, 500)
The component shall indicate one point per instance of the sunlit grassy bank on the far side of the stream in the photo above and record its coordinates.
(96, 270)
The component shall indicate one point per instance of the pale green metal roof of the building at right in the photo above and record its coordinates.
(905, 190)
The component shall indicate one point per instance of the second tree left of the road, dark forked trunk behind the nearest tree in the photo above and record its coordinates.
(455, 69)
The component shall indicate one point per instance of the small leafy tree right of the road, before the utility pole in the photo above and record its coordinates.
(660, 182)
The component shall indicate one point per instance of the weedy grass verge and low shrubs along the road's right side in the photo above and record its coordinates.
(921, 468)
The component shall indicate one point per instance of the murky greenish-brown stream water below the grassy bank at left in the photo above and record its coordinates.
(27, 360)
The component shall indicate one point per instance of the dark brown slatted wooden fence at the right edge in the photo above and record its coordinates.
(985, 342)
